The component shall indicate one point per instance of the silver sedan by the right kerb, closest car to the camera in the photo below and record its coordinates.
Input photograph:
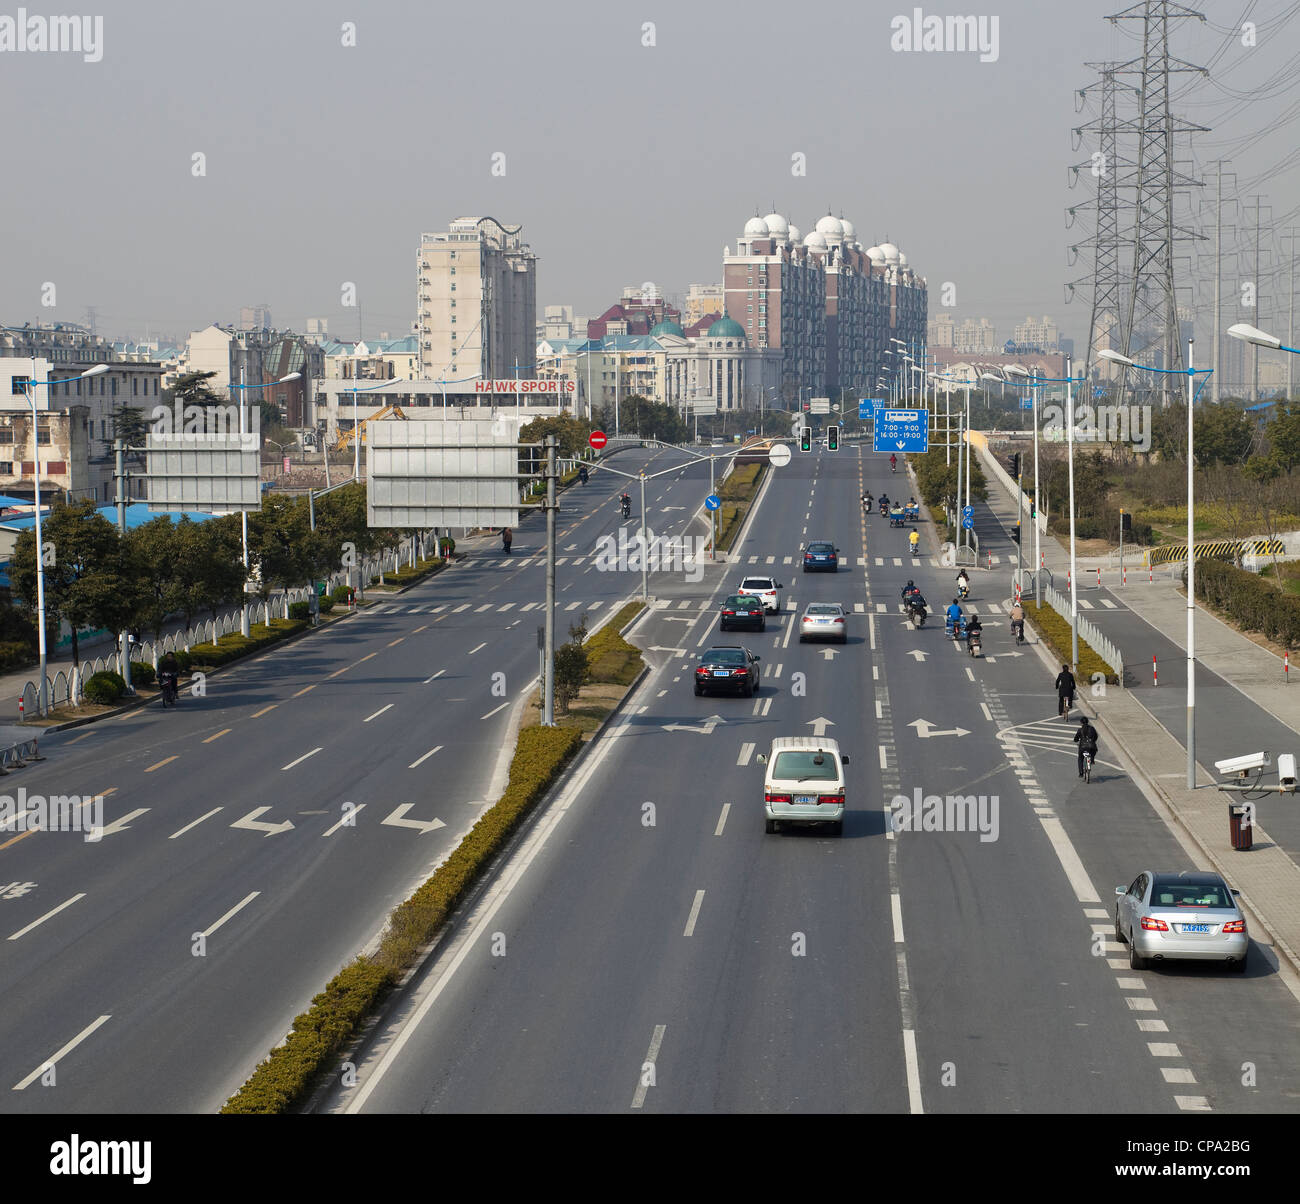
(1193, 916)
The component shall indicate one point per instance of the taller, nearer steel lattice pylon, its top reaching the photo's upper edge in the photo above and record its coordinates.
(1152, 319)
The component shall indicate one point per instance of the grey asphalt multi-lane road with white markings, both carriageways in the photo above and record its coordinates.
(647, 946)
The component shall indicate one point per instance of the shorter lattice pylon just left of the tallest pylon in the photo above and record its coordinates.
(1106, 284)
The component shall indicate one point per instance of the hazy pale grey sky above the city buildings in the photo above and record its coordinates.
(623, 162)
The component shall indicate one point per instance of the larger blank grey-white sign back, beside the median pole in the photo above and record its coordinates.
(427, 473)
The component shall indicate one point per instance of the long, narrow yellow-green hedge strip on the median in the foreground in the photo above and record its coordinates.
(337, 1012)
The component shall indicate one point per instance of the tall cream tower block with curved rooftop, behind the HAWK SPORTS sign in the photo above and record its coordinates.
(478, 302)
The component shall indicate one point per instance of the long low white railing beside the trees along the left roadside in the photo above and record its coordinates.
(68, 686)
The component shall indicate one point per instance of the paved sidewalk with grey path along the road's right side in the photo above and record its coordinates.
(1242, 695)
